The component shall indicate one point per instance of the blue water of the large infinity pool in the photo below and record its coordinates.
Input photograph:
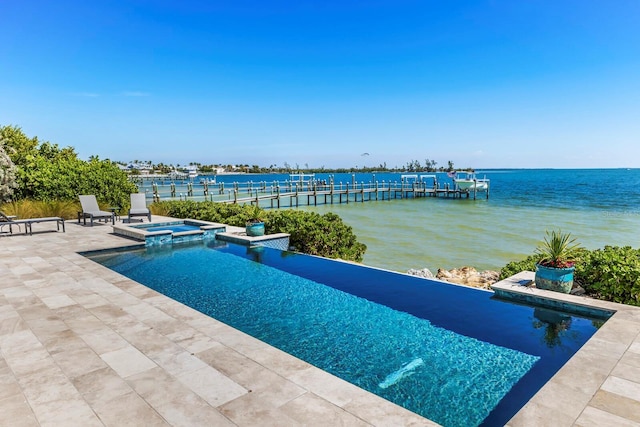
(455, 355)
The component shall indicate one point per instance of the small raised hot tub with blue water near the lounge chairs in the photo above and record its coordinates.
(156, 233)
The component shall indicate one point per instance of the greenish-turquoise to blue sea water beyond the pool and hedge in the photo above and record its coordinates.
(598, 206)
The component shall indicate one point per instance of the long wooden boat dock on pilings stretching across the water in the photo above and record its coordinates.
(305, 190)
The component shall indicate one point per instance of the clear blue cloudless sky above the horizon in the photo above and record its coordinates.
(503, 83)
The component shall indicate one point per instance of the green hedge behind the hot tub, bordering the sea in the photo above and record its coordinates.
(311, 233)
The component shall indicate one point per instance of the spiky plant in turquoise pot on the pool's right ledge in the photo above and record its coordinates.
(555, 269)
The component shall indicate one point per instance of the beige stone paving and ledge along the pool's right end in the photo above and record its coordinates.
(600, 384)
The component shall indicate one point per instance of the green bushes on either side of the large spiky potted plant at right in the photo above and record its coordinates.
(611, 273)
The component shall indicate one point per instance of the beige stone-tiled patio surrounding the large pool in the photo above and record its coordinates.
(83, 345)
